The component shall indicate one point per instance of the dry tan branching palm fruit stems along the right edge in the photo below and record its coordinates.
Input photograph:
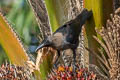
(111, 36)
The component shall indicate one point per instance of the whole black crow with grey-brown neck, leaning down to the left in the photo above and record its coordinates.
(67, 36)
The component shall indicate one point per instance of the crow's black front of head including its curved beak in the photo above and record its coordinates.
(45, 43)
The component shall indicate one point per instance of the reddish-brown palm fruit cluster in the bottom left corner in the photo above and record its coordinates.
(12, 72)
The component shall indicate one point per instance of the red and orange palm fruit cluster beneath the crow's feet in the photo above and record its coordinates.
(67, 73)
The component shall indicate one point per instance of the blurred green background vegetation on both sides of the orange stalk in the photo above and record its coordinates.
(22, 19)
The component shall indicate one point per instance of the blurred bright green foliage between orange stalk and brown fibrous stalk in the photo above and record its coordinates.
(22, 19)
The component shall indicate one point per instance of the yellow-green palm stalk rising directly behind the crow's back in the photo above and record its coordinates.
(56, 12)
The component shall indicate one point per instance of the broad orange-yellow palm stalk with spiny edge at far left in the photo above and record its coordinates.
(11, 43)
